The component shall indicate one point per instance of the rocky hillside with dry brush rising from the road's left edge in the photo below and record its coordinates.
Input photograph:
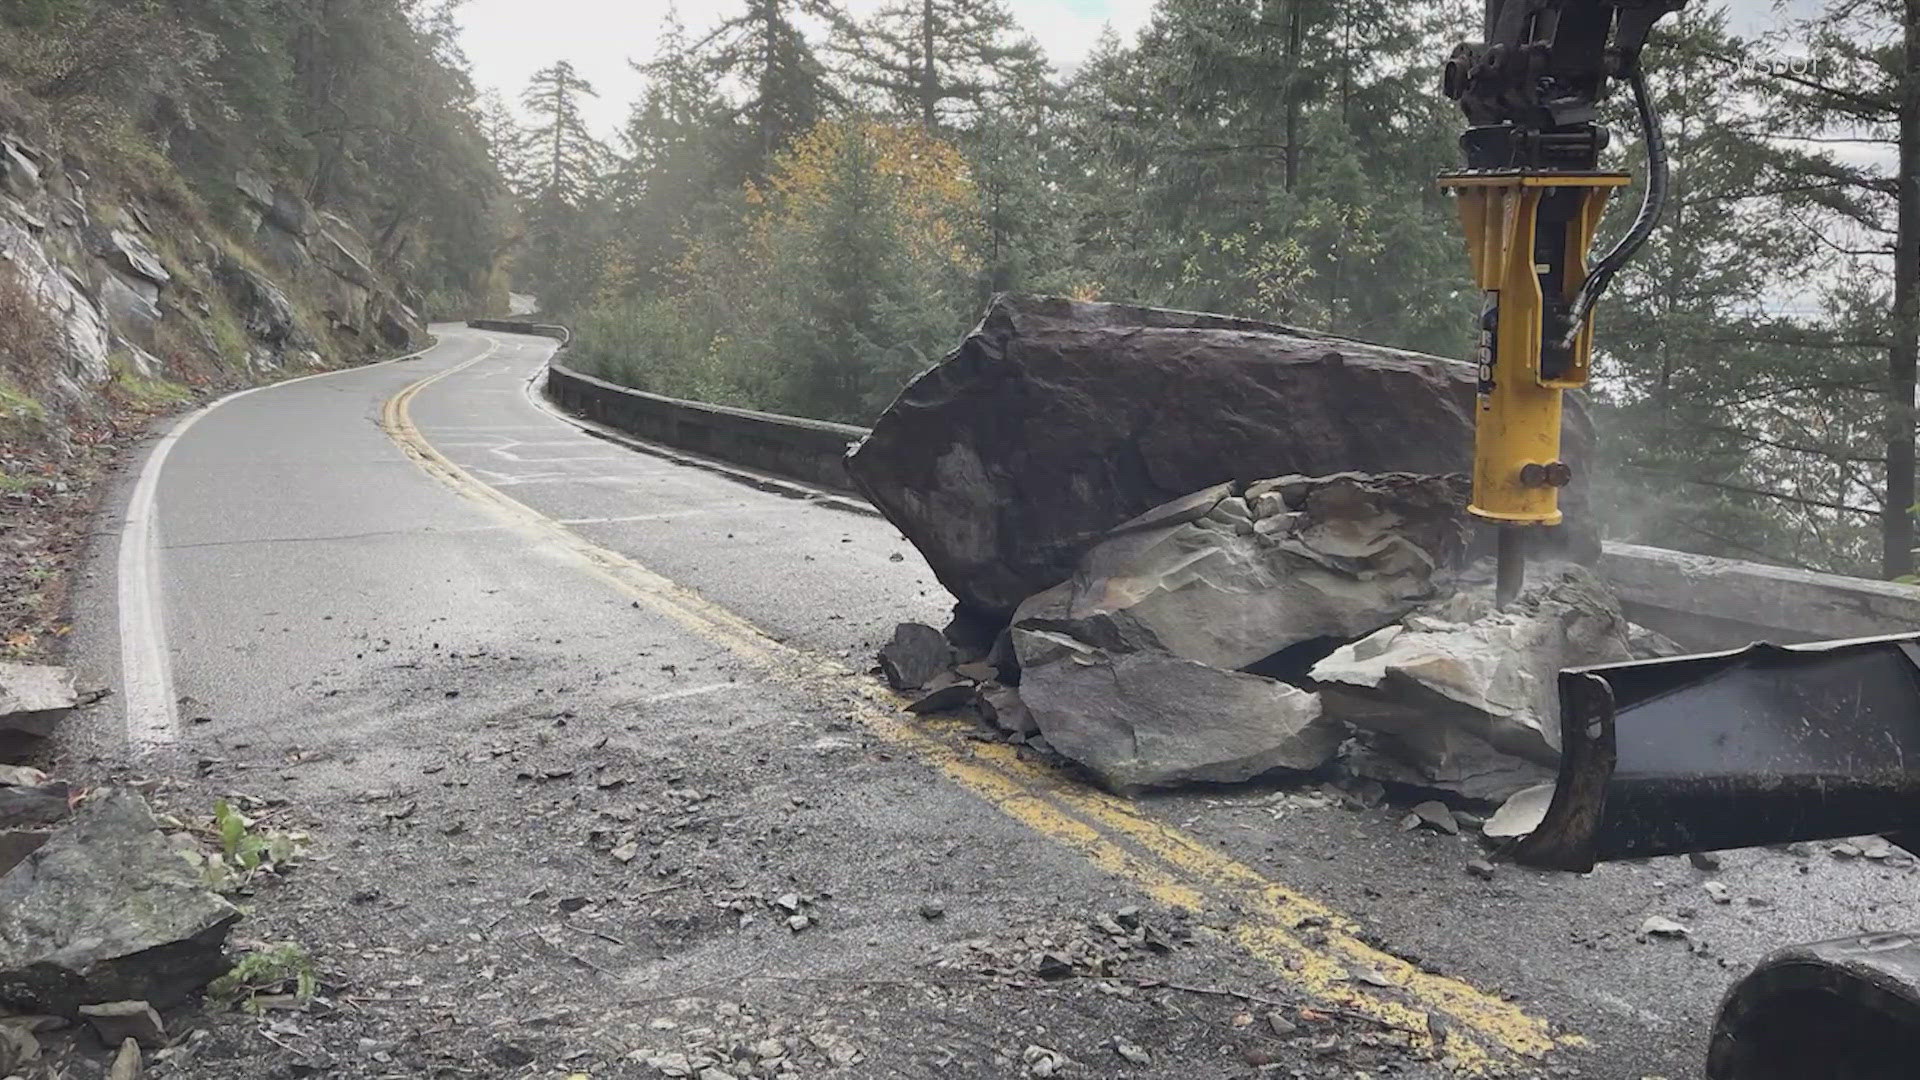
(128, 287)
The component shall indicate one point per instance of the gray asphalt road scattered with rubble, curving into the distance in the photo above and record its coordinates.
(473, 650)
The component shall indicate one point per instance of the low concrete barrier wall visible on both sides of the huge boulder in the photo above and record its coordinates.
(1700, 602)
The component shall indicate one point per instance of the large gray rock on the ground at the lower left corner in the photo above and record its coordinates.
(108, 912)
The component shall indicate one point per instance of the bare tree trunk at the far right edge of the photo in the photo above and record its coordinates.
(1898, 520)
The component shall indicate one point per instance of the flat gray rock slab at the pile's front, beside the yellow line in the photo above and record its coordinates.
(1155, 720)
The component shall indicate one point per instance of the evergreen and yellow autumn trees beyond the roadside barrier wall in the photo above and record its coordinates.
(805, 209)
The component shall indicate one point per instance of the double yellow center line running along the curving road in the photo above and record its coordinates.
(1476, 1033)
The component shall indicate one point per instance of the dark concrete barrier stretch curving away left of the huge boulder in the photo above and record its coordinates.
(786, 447)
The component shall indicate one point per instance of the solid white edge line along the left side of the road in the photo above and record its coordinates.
(147, 674)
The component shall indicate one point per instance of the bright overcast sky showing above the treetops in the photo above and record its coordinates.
(512, 39)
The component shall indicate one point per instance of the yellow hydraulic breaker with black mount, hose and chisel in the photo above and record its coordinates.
(1531, 201)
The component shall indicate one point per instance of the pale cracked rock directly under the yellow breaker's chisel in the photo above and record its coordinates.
(1464, 697)
